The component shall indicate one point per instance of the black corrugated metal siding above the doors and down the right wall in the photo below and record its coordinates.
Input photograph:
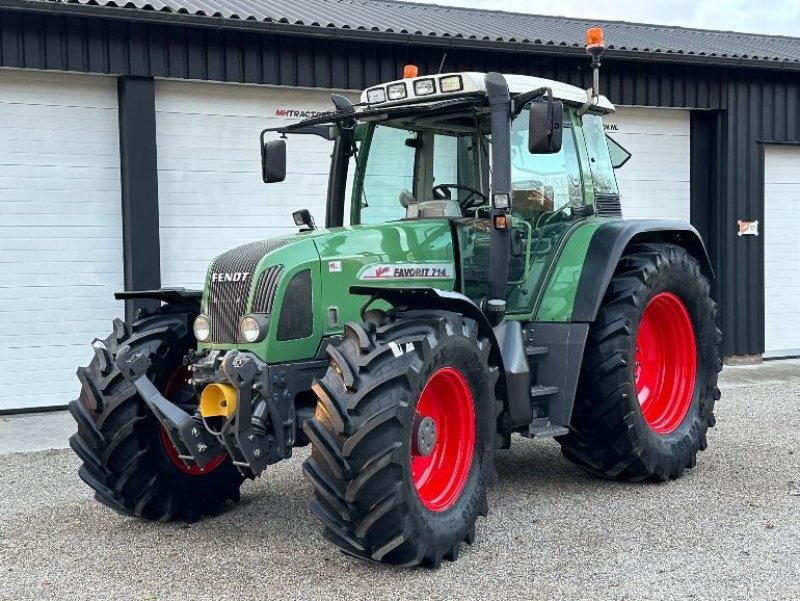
(749, 107)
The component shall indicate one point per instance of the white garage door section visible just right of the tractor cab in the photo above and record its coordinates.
(654, 183)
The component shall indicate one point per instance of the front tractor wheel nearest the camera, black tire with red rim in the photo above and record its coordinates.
(384, 490)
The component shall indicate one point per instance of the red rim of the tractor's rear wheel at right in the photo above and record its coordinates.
(665, 363)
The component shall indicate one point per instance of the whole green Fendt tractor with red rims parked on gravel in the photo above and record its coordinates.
(486, 285)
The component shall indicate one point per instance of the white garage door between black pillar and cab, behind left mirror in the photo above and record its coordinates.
(211, 196)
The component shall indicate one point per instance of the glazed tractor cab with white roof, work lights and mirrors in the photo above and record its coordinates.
(439, 147)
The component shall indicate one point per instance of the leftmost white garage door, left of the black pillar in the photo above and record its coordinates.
(60, 230)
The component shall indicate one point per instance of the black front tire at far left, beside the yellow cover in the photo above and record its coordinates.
(127, 458)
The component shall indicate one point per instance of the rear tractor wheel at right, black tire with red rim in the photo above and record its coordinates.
(648, 382)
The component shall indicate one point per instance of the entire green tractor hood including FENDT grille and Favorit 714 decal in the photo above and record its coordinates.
(299, 284)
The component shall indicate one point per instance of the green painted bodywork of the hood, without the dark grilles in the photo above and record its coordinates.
(406, 253)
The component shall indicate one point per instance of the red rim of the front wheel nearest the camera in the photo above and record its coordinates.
(440, 476)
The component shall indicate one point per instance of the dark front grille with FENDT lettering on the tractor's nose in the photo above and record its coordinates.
(227, 300)
